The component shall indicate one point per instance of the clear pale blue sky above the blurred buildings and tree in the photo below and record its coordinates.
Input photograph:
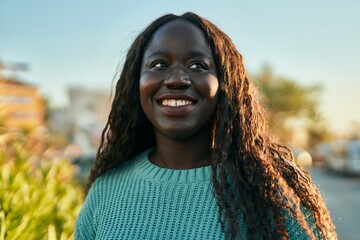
(81, 42)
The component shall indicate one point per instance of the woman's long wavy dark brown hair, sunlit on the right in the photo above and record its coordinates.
(252, 174)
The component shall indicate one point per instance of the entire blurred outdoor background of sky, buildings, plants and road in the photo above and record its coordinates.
(58, 67)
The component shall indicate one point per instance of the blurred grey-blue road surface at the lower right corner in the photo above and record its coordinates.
(342, 195)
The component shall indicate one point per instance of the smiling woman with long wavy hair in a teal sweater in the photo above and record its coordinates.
(186, 154)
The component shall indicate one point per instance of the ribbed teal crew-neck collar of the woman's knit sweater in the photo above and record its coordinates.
(146, 169)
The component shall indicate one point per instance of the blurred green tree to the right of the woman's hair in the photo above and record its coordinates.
(291, 107)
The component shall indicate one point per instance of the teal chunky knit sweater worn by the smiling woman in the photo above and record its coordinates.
(140, 200)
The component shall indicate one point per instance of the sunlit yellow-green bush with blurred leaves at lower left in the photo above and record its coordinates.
(39, 198)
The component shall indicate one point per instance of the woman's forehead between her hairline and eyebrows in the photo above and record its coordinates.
(178, 35)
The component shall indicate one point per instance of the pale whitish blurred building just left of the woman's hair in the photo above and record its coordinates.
(85, 117)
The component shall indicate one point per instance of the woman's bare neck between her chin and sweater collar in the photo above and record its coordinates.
(182, 154)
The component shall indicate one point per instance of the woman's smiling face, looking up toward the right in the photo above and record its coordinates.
(178, 81)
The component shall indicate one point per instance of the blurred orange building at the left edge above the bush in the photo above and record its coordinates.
(21, 105)
